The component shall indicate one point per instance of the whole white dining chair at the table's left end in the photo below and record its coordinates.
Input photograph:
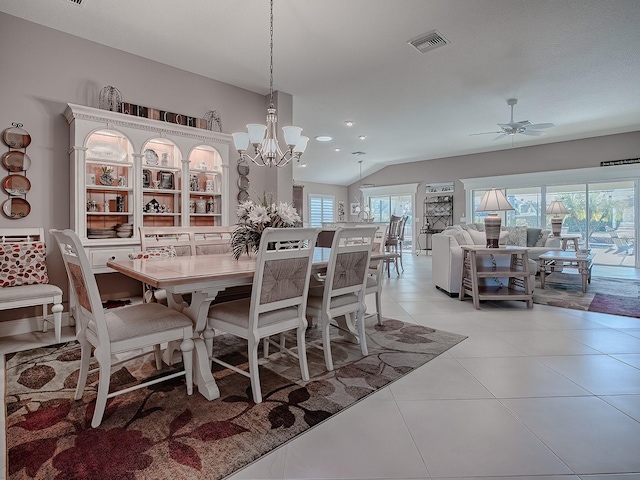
(118, 330)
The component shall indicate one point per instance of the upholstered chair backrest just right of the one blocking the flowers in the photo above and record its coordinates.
(348, 262)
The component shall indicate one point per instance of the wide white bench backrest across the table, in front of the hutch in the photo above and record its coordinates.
(187, 240)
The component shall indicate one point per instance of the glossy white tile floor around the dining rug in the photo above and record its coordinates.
(545, 393)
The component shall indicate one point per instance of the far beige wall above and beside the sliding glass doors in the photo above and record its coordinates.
(554, 156)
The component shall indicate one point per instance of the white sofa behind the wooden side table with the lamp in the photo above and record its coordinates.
(447, 251)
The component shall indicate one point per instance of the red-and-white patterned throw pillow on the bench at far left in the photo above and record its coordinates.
(22, 264)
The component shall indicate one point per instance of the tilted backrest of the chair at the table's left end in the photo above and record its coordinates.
(83, 285)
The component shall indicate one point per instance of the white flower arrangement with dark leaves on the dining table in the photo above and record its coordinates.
(254, 218)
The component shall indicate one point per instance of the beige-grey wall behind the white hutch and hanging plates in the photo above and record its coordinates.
(44, 69)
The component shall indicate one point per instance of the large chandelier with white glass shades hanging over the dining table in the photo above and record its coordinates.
(264, 138)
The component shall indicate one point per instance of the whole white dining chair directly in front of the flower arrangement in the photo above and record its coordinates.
(277, 304)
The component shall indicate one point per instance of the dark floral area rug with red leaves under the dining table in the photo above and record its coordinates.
(161, 432)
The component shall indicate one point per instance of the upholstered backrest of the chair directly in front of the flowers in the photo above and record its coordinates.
(283, 271)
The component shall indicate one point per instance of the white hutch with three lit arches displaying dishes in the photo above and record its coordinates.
(129, 171)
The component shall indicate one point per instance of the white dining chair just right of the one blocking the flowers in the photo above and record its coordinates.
(342, 291)
